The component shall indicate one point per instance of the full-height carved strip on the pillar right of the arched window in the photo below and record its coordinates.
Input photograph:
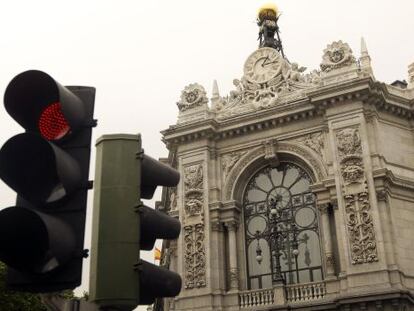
(359, 223)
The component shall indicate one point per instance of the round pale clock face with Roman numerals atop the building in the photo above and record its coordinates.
(262, 65)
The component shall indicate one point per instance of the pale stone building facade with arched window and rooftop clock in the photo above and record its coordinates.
(333, 150)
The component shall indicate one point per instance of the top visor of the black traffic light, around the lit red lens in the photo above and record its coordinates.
(40, 104)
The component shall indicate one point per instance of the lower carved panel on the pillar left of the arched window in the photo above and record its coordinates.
(194, 257)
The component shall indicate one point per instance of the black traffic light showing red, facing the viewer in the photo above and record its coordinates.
(41, 237)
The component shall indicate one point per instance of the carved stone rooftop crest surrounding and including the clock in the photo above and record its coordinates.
(266, 84)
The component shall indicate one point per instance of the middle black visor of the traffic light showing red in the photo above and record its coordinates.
(37, 170)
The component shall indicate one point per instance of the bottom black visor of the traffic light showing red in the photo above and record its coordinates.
(33, 241)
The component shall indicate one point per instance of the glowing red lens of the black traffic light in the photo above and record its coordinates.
(52, 123)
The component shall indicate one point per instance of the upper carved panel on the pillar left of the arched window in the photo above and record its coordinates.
(193, 190)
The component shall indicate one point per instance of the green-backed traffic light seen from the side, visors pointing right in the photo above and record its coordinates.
(123, 225)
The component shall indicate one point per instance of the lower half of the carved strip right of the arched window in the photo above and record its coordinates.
(360, 228)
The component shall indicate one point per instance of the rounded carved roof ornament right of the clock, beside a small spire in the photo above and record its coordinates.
(337, 55)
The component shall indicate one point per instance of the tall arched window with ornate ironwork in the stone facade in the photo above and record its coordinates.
(280, 218)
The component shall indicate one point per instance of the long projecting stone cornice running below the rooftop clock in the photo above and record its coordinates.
(365, 90)
